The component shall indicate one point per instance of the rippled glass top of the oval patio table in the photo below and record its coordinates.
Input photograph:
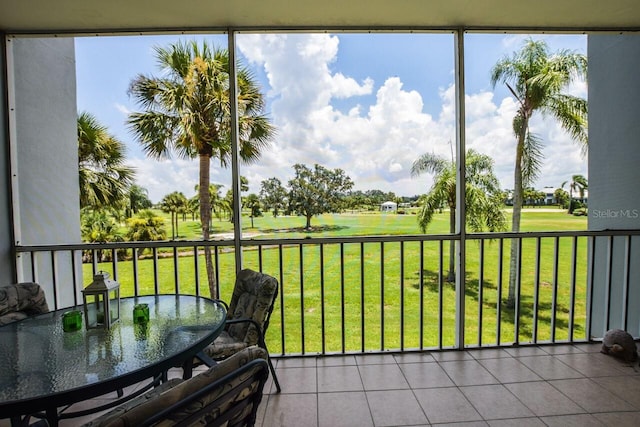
(38, 358)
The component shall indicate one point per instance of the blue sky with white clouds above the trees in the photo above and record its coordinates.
(367, 103)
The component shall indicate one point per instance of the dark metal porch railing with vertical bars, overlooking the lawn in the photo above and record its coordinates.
(383, 293)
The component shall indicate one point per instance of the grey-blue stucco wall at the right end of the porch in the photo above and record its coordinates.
(614, 176)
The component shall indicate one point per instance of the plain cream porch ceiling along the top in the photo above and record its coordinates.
(62, 16)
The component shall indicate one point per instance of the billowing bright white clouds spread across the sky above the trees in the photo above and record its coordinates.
(375, 144)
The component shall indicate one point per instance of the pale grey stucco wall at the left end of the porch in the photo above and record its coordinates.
(45, 144)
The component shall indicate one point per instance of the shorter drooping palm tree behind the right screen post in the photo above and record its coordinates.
(483, 198)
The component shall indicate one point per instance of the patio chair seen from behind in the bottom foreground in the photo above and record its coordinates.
(228, 394)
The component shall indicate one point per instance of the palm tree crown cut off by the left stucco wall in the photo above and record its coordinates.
(104, 178)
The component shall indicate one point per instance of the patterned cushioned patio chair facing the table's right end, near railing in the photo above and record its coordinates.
(254, 296)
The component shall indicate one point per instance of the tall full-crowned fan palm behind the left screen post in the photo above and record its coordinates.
(188, 111)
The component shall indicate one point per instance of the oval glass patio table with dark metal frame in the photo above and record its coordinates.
(43, 368)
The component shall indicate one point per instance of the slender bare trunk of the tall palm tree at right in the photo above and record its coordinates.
(515, 219)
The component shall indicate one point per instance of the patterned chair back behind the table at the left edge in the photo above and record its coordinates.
(21, 300)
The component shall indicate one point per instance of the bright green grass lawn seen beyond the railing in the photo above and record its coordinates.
(366, 289)
